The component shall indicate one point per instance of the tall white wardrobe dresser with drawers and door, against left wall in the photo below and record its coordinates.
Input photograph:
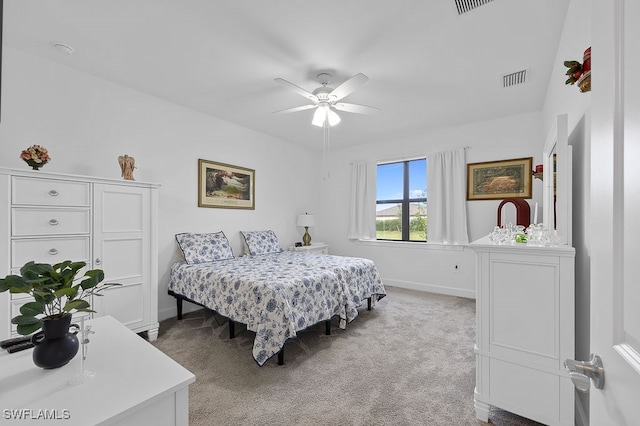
(110, 224)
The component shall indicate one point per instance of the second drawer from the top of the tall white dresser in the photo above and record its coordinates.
(32, 222)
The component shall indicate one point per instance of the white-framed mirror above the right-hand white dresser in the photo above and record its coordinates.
(556, 194)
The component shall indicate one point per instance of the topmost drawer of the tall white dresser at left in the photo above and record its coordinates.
(49, 192)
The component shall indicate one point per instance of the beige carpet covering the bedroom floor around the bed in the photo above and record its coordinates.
(409, 361)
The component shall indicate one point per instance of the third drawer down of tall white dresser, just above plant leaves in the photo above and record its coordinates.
(50, 250)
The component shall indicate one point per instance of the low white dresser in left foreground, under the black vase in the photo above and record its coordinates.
(134, 384)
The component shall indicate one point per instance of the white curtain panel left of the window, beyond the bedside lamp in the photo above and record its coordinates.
(360, 216)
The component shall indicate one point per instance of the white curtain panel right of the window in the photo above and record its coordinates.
(446, 197)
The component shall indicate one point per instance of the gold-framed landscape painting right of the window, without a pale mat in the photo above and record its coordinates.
(495, 180)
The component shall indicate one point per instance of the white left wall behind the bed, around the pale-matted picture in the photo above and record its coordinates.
(87, 122)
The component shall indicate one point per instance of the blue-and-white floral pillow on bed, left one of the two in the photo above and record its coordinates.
(201, 248)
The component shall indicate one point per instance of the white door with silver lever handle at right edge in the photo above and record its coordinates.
(615, 210)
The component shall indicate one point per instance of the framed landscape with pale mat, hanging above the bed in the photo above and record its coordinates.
(225, 186)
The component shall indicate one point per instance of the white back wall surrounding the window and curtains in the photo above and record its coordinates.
(421, 266)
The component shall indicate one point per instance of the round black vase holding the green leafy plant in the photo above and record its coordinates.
(55, 345)
